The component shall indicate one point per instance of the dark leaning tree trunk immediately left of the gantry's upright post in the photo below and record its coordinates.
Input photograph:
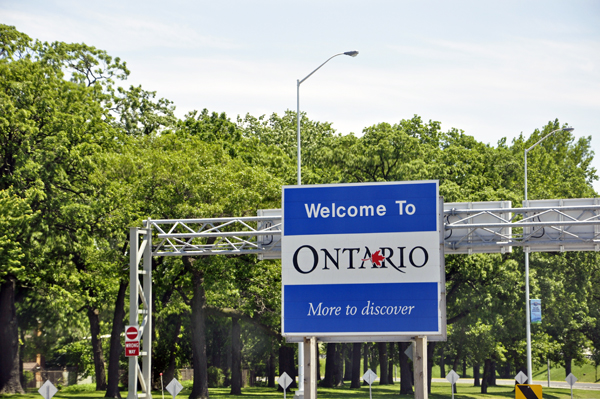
(112, 390)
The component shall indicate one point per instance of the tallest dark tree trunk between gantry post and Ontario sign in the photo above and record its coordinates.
(198, 329)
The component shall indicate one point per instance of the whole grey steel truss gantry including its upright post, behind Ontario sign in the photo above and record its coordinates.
(478, 227)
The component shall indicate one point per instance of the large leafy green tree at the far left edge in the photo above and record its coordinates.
(51, 129)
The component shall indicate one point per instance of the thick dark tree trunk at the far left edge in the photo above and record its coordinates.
(10, 381)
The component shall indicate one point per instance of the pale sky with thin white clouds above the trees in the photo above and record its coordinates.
(493, 69)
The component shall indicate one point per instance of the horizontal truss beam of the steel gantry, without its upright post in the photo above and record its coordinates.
(469, 228)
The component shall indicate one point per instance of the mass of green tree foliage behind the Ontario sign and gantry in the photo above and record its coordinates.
(83, 159)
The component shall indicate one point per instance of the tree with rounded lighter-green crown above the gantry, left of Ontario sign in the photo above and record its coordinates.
(216, 185)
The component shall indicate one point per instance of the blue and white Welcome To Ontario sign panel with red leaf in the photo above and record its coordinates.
(361, 259)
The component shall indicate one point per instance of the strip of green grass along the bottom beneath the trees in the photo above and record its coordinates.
(439, 391)
